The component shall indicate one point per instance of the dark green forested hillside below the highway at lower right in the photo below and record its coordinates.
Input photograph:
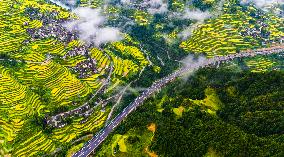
(216, 112)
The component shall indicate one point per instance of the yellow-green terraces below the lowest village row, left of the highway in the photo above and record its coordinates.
(36, 142)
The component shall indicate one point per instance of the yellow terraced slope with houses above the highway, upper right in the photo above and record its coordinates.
(235, 31)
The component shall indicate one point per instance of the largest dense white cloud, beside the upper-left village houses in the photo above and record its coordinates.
(90, 26)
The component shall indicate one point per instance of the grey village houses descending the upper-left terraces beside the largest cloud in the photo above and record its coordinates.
(53, 27)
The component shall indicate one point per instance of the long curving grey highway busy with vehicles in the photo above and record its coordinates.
(91, 145)
